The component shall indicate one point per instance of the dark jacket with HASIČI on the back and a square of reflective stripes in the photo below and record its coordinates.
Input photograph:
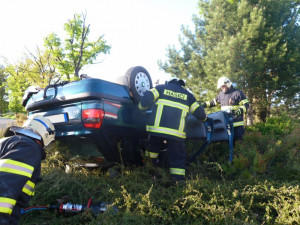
(171, 105)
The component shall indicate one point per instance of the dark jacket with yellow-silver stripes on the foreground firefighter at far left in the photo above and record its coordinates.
(20, 165)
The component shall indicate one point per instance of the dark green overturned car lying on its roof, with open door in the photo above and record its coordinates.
(94, 115)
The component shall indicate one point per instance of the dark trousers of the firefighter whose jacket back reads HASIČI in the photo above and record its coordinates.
(176, 155)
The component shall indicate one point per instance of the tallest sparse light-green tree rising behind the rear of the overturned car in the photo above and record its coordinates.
(76, 51)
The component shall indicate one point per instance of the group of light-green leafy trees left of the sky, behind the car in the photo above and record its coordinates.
(44, 67)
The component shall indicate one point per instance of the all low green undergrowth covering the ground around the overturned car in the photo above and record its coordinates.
(260, 186)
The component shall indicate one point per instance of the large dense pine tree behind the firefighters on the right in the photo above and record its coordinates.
(255, 43)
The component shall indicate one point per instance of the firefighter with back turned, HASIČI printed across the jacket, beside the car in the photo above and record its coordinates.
(171, 104)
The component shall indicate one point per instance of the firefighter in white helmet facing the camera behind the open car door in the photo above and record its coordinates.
(232, 101)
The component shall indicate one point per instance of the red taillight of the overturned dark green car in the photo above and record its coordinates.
(92, 118)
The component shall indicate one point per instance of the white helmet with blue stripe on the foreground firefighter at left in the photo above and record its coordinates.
(39, 128)
